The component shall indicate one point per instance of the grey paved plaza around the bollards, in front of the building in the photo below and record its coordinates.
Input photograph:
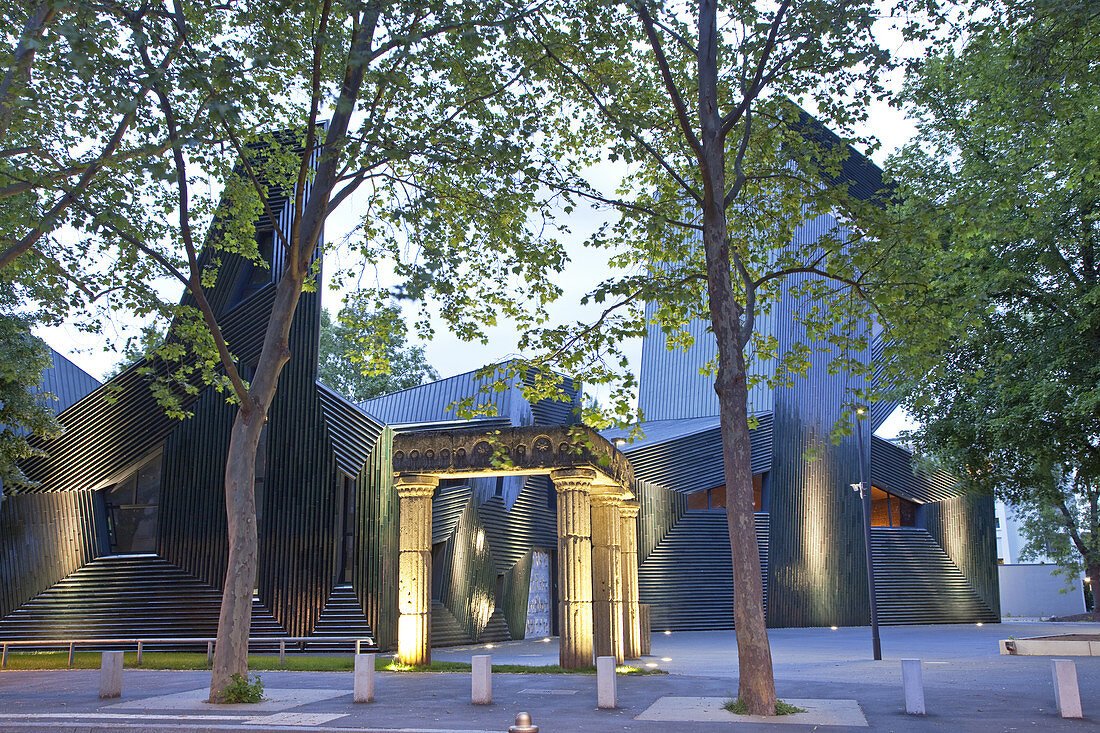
(969, 687)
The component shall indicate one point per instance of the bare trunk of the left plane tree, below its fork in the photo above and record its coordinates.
(235, 622)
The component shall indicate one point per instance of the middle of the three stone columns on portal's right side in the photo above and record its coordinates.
(608, 575)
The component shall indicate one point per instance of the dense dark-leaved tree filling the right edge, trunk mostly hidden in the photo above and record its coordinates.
(1005, 176)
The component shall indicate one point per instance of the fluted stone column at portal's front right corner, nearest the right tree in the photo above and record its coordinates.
(575, 565)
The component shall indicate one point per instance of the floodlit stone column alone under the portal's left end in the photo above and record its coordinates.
(414, 579)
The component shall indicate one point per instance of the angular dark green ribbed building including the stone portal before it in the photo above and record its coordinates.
(391, 519)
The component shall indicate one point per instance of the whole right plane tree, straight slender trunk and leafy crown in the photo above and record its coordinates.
(722, 169)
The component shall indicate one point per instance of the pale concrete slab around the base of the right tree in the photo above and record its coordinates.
(711, 710)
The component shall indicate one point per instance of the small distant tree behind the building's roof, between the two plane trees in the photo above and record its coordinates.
(365, 355)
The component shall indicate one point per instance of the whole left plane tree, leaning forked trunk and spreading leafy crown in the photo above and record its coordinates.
(424, 107)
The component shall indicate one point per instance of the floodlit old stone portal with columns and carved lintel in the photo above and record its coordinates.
(595, 485)
